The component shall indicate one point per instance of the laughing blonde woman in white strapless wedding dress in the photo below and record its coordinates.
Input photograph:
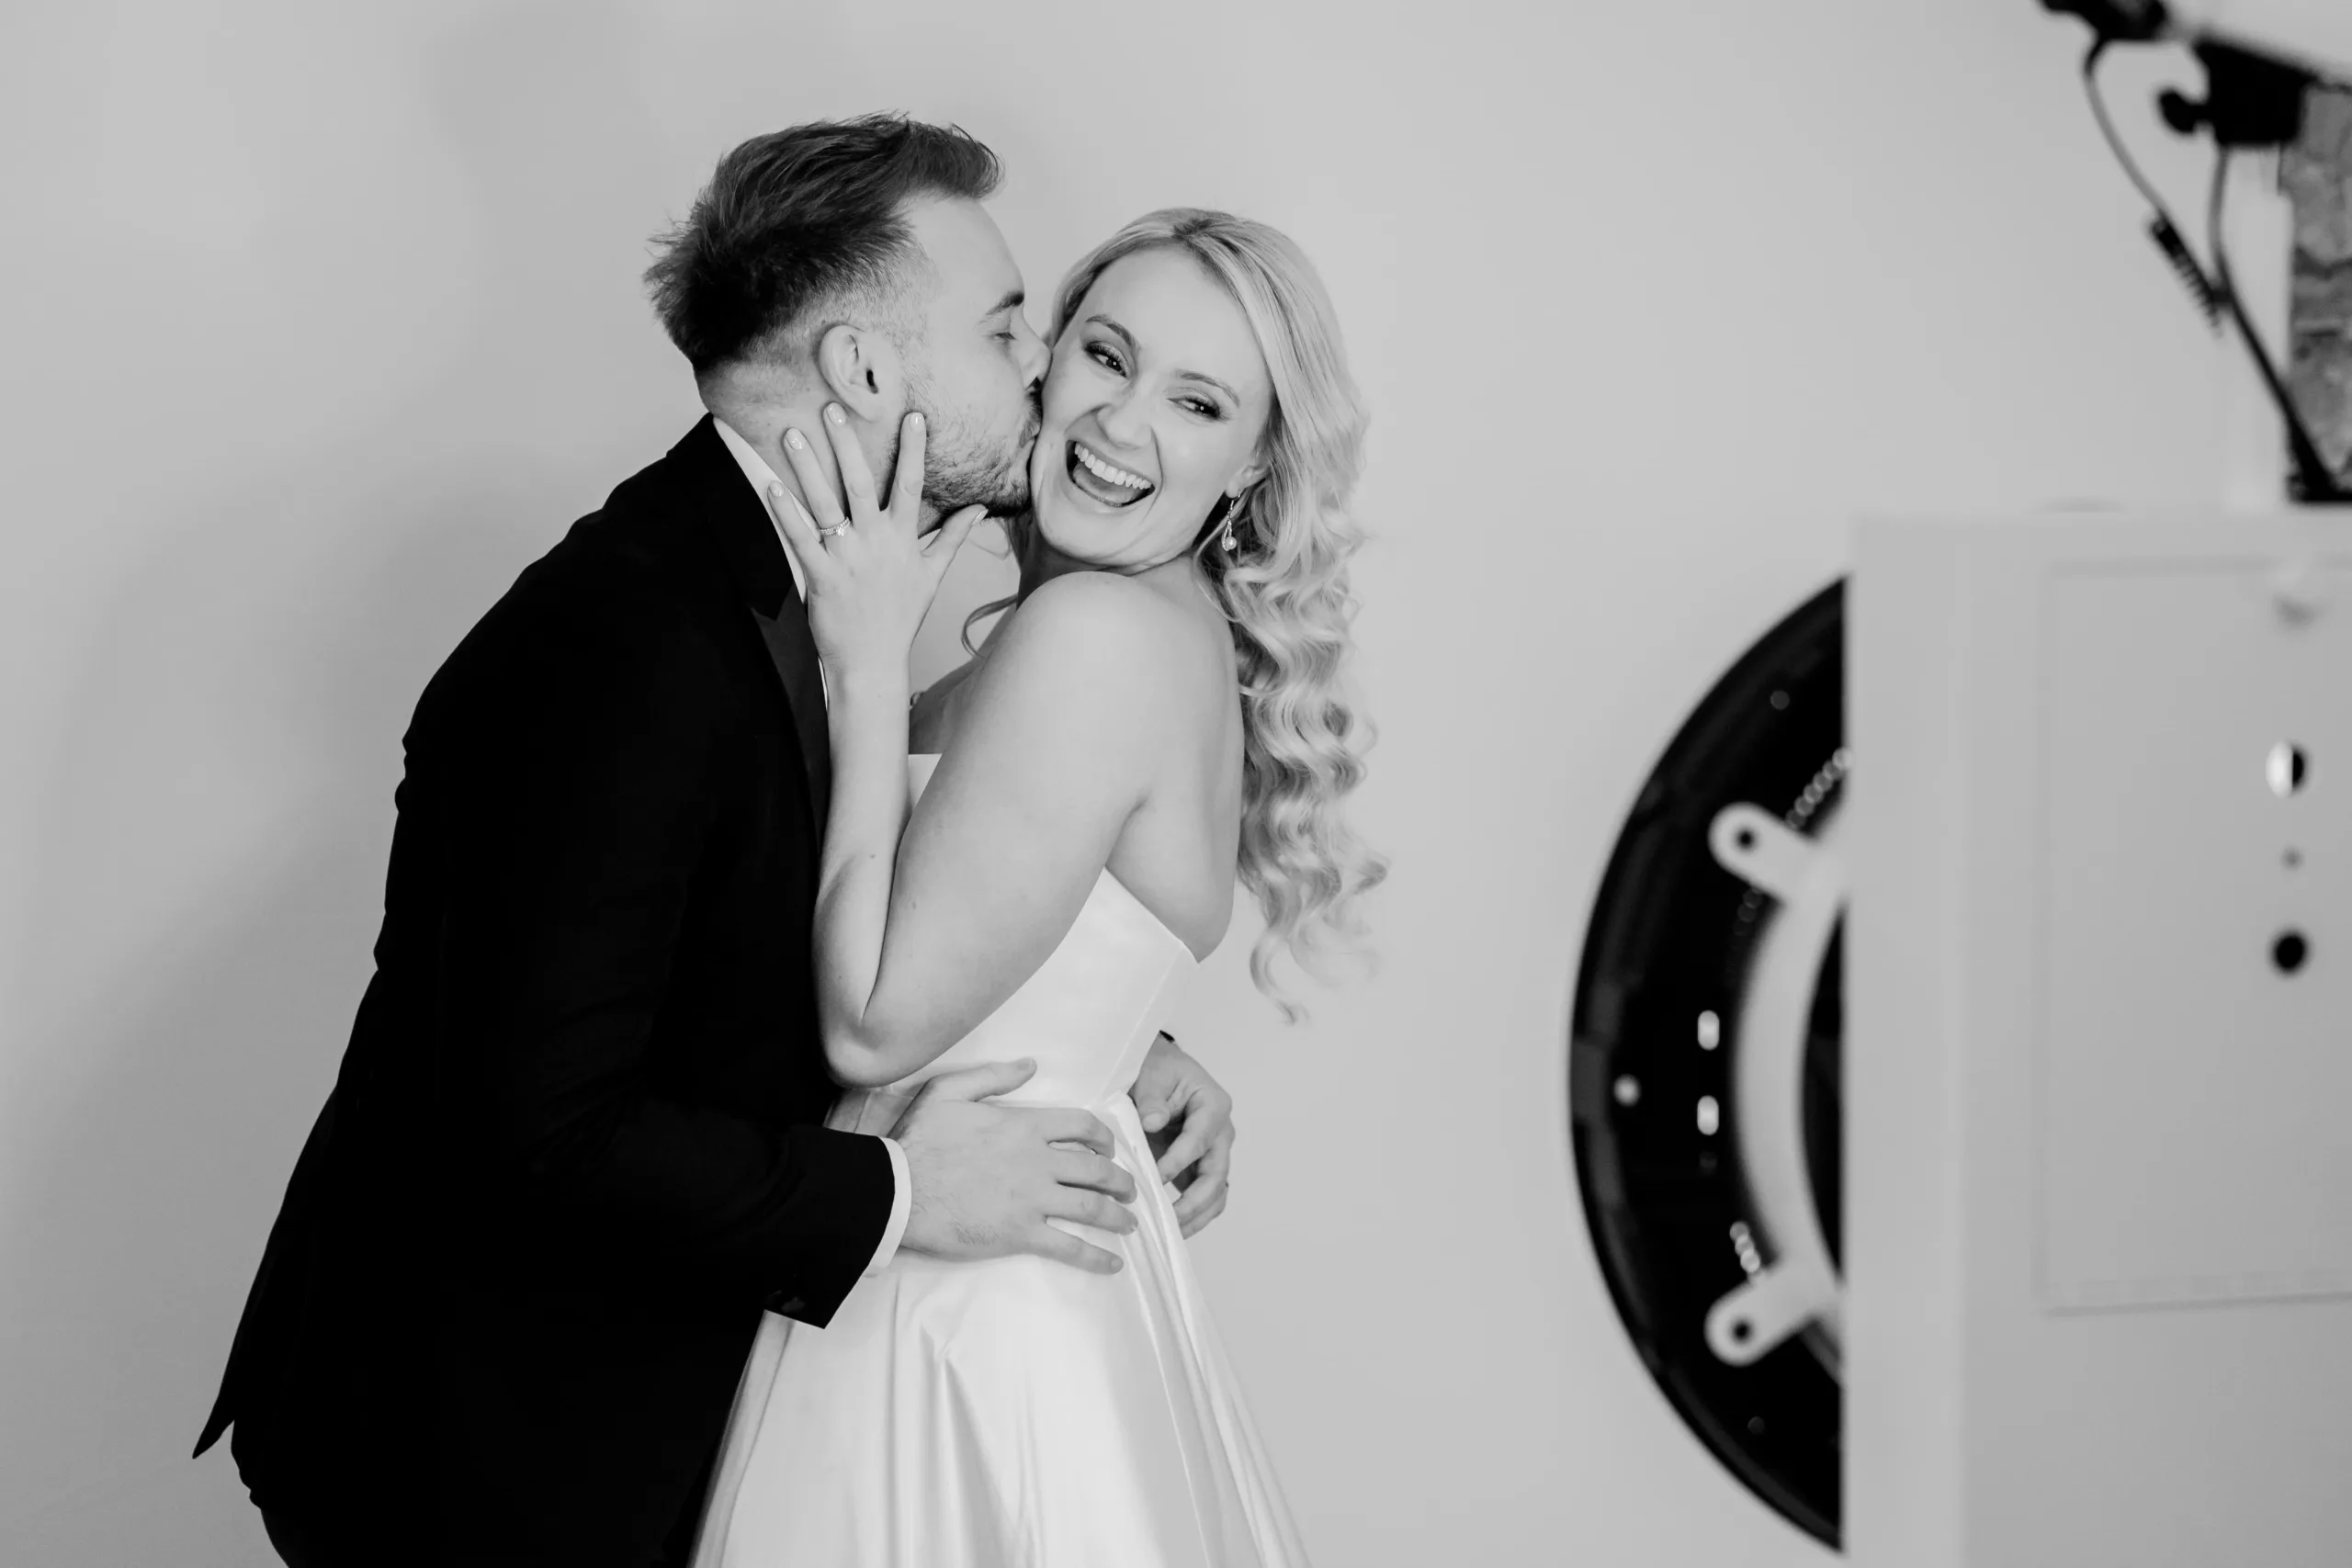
(1029, 862)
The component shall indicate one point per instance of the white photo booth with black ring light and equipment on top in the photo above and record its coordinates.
(1930, 1132)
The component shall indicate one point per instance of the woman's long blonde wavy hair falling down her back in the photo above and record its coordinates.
(1283, 589)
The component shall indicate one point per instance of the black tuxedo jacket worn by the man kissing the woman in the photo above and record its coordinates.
(575, 1146)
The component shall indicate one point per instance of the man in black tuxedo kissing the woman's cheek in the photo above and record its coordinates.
(577, 1141)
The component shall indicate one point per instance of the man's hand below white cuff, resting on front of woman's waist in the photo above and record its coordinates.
(987, 1179)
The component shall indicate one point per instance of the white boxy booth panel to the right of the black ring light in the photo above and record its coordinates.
(2099, 1207)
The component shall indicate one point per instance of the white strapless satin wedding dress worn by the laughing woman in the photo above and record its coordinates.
(1015, 1414)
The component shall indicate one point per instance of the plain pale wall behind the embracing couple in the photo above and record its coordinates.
(323, 321)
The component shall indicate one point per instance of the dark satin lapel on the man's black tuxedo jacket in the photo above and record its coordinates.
(737, 518)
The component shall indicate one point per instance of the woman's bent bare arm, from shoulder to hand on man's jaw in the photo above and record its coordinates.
(928, 927)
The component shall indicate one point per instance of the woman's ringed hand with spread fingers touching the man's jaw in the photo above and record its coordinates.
(869, 570)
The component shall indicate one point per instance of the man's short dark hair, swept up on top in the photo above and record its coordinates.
(803, 217)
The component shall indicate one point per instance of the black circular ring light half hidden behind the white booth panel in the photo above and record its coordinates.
(1704, 1068)
